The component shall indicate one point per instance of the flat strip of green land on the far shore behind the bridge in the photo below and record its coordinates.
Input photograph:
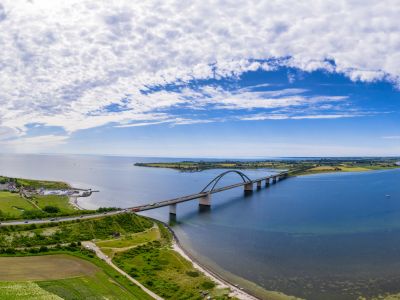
(294, 166)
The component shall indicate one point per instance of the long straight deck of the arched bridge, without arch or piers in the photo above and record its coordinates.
(199, 195)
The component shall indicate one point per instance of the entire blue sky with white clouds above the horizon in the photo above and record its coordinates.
(203, 78)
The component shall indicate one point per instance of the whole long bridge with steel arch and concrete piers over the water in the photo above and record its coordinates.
(204, 196)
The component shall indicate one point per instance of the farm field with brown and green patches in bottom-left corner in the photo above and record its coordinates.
(61, 277)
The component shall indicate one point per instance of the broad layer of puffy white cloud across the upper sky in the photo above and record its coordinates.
(62, 63)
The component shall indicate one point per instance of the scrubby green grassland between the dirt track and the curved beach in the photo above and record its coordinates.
(163, 270)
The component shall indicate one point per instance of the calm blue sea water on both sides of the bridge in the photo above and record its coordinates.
(332, 236)
